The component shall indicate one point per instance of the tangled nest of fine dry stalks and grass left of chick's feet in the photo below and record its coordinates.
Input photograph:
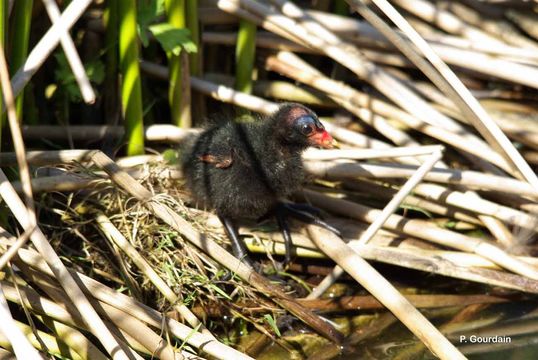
(199, 282)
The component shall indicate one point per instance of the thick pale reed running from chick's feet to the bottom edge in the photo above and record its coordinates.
(382, 290)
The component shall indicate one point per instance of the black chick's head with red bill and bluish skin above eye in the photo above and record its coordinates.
(297, 125)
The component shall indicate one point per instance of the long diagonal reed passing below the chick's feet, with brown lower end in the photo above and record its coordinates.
(214, 250)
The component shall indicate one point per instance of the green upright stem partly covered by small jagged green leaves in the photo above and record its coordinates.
(179, 89)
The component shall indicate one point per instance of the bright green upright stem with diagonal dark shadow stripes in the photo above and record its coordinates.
(131, 89)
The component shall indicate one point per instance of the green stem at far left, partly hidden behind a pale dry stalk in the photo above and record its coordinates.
(20, 37)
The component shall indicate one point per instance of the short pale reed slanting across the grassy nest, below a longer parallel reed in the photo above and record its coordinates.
(115, 236)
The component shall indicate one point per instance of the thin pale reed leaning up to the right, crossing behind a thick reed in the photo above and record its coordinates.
(389, 209)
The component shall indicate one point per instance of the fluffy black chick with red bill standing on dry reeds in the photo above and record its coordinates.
(246, 170)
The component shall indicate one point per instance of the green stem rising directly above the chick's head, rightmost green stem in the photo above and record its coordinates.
(244, 56)
